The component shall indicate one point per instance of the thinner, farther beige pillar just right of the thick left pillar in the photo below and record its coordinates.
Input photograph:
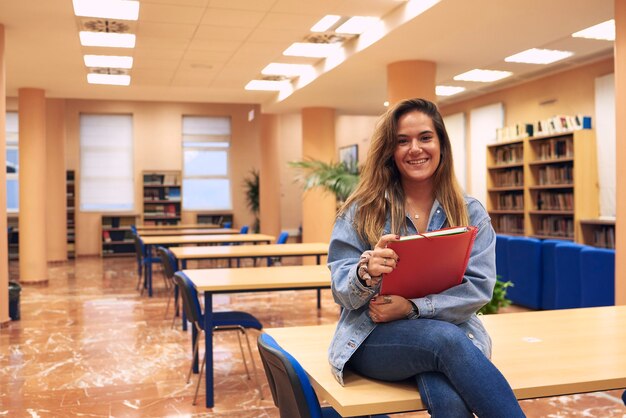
(56, 199)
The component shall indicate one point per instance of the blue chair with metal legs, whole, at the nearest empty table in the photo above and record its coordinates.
(223, 321)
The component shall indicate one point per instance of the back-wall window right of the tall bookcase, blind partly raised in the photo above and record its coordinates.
(206, 181)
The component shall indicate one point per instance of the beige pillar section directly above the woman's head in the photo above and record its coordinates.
(411, 79)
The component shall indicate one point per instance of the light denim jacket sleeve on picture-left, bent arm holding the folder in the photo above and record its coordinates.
(343, 258)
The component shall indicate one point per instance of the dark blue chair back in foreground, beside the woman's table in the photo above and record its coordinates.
(289, 384)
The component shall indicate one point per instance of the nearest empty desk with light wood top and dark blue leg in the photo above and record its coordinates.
(248, 279)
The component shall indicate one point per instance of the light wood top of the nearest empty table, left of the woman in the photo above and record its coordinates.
(223, 280)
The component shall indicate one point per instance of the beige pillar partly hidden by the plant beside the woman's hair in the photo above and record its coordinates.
(318, 142)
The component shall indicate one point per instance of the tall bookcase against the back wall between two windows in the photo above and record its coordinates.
(161, 198)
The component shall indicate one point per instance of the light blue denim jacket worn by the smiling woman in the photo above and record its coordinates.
(457, 305)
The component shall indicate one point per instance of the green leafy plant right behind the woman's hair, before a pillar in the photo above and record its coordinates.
(336, 178)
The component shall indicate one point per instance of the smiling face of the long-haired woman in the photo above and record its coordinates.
(418, 150)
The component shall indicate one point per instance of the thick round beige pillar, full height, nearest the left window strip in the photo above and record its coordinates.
(32, 223)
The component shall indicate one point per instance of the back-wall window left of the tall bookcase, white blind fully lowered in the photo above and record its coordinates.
(106, 163)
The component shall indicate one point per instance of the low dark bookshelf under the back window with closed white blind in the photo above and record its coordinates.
(117, 237)
